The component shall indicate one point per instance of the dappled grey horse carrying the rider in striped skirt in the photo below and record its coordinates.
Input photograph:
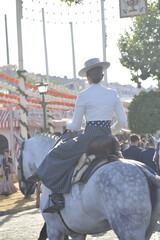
(121, 195)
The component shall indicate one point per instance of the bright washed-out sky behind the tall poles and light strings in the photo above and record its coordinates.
(86, 20)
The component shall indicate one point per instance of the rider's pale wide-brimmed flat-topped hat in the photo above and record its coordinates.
(92, 63)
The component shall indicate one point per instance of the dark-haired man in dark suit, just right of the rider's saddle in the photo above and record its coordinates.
(133, 151)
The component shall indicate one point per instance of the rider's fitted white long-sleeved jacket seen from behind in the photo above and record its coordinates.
(98, 103)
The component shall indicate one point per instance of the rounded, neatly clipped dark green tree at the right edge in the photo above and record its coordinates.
(144, 113)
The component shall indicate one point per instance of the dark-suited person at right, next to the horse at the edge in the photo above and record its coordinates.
(146, 156)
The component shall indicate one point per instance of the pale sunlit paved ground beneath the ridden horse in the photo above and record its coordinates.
(26, 225)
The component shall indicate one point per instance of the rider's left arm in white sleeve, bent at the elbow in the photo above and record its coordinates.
(76, 122)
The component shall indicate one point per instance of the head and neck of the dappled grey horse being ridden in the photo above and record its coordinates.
(33, 151)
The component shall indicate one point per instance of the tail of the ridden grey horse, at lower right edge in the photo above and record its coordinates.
(154, 186)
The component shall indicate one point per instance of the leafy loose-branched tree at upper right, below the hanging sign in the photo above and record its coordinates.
(140, 46)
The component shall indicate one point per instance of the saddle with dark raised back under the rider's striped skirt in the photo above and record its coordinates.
(102, 151)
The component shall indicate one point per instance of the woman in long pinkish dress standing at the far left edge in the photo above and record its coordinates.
(7, 187)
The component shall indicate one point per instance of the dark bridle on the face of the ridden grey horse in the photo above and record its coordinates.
(22, 181)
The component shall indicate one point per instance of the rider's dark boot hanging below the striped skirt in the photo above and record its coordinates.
(56, 203)
